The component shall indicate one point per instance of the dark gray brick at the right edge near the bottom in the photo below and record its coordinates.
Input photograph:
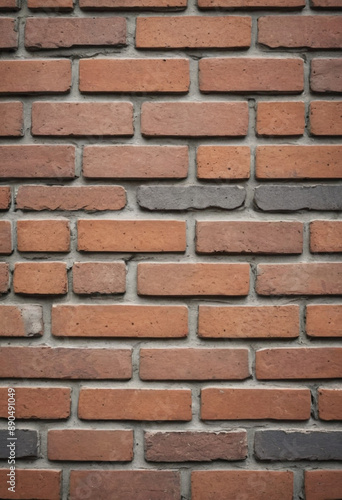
(294, 445)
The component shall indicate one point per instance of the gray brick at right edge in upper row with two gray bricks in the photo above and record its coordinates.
(291, 198)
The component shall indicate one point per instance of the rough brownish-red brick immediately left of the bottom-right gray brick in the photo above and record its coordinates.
(190, 446)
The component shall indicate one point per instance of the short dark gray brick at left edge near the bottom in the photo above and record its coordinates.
(26, 444)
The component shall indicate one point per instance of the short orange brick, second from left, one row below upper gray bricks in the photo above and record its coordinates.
(43, 235)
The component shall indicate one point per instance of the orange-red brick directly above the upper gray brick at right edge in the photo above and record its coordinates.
(299, 162)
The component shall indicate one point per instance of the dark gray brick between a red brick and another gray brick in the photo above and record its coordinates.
(187, 197)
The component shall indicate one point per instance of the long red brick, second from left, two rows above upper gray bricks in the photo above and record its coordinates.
(82, 118)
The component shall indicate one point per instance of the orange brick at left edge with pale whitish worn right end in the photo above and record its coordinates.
(21, 321)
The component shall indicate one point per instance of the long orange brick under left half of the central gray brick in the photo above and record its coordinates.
(131, 235)
